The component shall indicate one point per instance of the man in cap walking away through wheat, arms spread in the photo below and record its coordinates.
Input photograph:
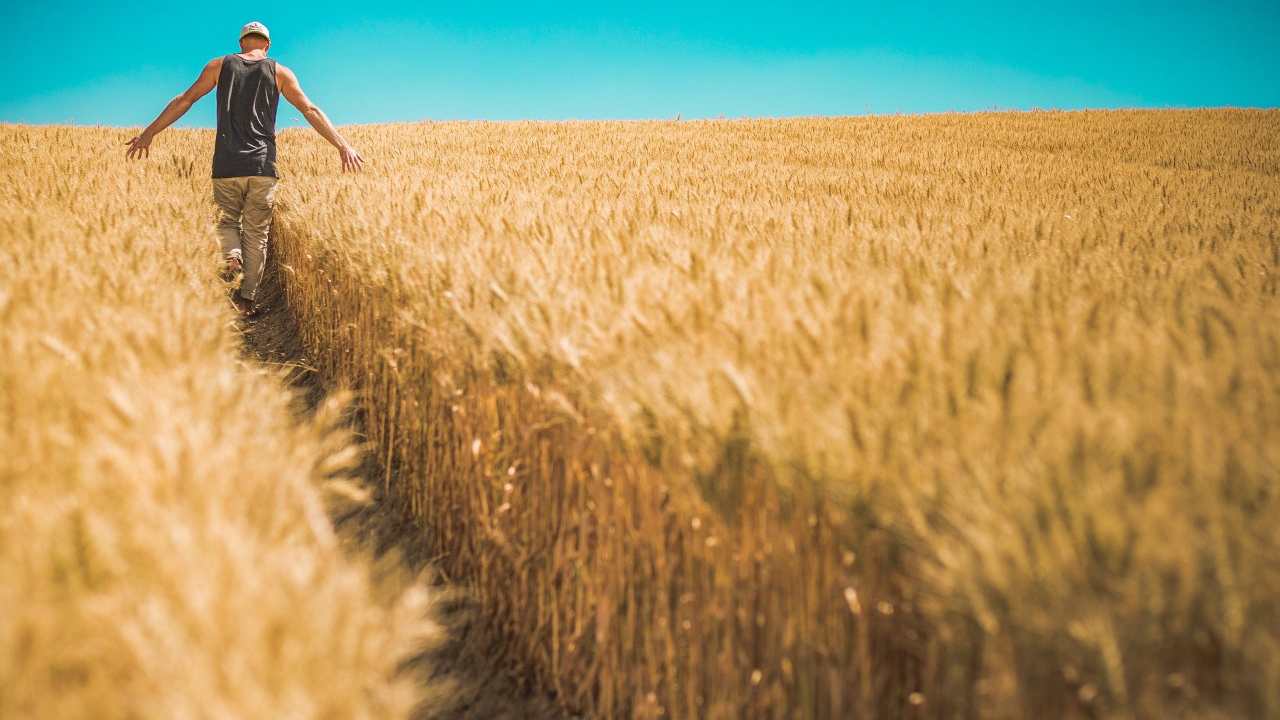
(249, 90)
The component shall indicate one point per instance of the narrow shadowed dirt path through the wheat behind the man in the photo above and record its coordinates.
(478, 687)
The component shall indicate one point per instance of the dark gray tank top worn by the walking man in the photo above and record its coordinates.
(248, 98)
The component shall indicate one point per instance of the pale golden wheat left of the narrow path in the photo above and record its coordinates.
(164, 548)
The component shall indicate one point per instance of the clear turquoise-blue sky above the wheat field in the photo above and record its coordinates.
(89, 63)
